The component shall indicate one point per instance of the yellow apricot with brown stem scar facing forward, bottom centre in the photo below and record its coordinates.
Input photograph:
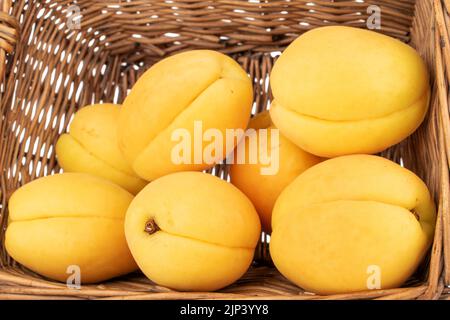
(208, 231)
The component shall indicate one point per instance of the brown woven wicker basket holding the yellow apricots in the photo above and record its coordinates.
(48, 71)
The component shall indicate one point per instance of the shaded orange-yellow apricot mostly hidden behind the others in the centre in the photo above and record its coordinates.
(263, 190)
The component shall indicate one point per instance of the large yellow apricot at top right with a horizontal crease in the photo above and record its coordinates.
(341, 90)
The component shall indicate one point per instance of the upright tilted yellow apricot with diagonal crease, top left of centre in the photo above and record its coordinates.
(198, 85)
